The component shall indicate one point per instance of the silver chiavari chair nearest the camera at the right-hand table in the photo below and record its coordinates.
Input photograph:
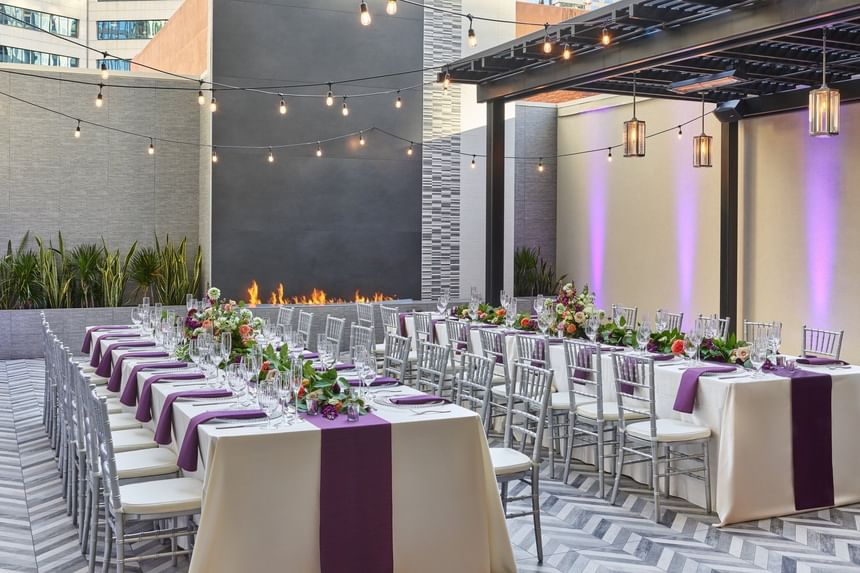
(644, 440)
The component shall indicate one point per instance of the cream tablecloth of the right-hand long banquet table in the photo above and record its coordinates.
(751, 423)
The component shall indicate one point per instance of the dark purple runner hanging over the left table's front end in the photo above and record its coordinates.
(356, 524)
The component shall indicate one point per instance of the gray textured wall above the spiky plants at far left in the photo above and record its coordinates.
(103, 184)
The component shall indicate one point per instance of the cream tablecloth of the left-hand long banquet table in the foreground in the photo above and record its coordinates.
(262, 510)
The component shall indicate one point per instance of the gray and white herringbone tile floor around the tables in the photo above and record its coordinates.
(582, 533)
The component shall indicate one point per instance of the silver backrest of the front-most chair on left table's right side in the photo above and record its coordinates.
(529, 396)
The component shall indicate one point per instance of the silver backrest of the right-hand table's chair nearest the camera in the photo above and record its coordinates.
(634, 389)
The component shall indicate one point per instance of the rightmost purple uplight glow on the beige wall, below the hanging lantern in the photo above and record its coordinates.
(823, 159)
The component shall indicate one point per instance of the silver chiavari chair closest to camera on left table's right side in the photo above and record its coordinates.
(529, 398)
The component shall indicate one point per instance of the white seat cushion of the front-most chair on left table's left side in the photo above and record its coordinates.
(161, 496)
